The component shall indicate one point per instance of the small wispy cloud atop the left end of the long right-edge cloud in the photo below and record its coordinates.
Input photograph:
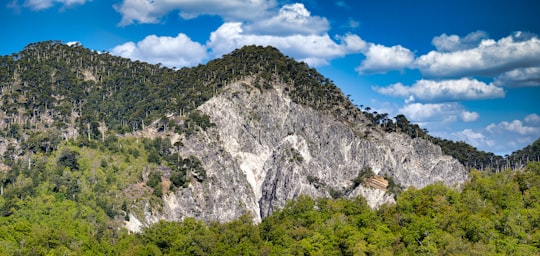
(446, 43)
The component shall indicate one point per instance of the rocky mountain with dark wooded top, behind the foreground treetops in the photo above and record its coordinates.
(242, 134)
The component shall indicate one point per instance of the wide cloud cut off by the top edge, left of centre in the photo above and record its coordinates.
(144, 11)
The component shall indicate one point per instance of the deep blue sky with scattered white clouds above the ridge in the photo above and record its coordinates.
(464, 70)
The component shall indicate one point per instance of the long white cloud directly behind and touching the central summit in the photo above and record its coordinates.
(313, 49)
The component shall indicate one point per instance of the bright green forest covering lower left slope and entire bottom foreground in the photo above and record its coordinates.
(74, 200)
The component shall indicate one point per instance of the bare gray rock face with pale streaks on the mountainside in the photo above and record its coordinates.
(266, 149)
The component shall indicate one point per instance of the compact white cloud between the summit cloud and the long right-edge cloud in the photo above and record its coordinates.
(381, 59)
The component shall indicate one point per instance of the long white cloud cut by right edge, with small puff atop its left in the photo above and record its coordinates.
(489, 57)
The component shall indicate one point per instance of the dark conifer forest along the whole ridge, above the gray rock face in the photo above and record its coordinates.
(51, 90)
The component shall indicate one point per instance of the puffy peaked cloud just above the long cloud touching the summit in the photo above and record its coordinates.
(291, 19)
